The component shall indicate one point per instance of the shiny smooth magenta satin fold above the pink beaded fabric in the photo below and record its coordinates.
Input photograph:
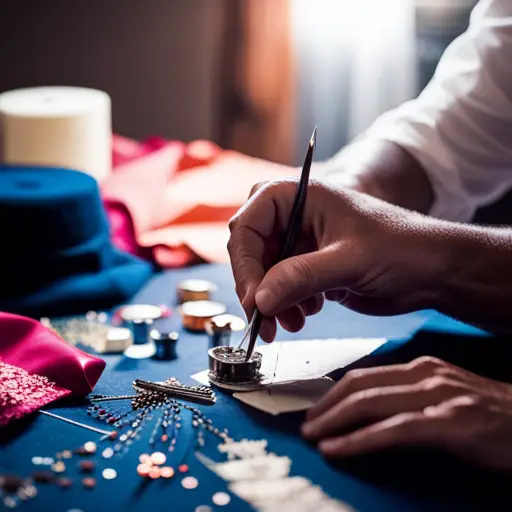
(26, 343)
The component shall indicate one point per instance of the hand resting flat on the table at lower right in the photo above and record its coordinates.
(427, 402)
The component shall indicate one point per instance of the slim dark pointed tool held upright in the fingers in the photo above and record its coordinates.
(294, 225)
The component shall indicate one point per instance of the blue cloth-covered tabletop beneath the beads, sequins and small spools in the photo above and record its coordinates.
(392, 481)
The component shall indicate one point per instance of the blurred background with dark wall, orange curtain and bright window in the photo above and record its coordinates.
(252, 75)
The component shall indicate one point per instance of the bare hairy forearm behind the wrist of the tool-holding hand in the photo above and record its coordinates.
(476, 286)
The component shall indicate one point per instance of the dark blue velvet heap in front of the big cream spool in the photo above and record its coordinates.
(57, 256)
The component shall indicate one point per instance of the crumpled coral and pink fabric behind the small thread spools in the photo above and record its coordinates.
(171, 202)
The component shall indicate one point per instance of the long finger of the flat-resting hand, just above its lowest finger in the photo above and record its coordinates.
(380, 403)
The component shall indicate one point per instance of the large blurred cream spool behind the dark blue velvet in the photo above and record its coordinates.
(57, 126)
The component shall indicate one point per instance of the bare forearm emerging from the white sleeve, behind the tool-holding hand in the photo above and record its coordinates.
(381, 169)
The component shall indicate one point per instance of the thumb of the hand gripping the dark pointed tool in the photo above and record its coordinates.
(291, 281)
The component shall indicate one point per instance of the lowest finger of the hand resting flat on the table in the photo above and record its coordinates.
(401, 430)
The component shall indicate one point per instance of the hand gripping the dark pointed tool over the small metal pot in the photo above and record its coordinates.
(357, 250)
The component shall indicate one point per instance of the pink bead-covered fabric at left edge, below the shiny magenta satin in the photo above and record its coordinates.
(22, 393)
